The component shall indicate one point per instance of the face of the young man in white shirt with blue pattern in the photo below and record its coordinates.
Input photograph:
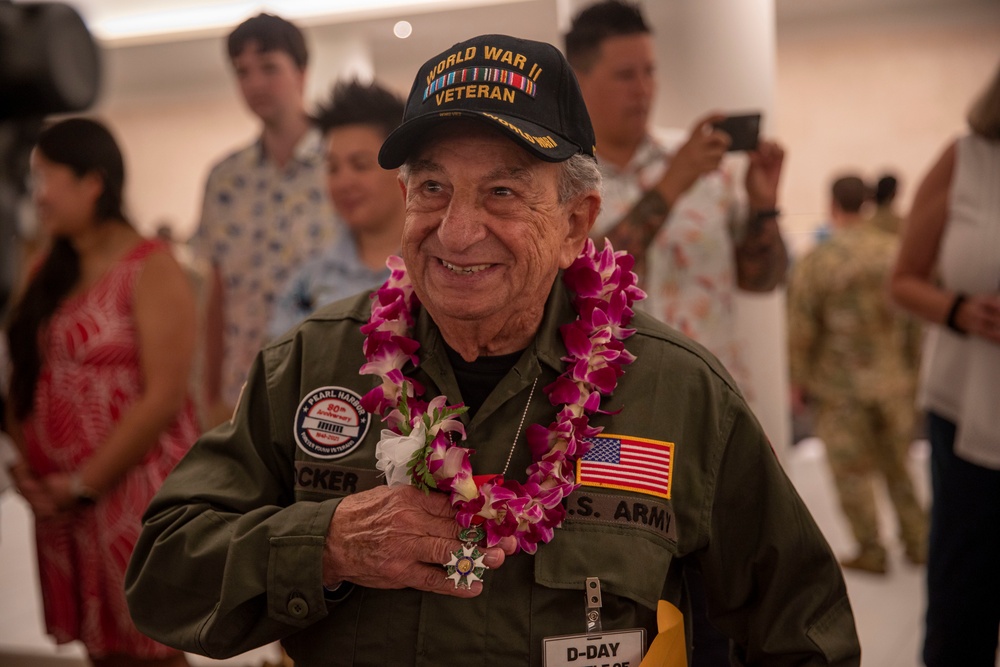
(271, 83)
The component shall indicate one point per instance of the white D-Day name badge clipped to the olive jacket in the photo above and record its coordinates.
(622, 648)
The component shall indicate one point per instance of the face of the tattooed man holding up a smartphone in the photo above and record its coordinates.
(619, 88)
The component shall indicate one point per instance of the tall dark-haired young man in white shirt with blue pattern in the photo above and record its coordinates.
(265, 210)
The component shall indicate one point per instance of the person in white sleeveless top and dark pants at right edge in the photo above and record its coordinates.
(948, 273)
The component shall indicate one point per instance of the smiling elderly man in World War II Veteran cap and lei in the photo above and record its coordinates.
(538, 442)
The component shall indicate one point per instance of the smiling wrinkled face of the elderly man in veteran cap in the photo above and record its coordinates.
(485, 234)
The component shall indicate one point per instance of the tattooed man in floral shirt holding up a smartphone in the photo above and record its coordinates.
(680, 213)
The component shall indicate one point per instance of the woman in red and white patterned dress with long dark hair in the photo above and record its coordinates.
(101, 342)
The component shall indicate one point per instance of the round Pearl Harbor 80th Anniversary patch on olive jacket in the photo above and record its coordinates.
(330, 422)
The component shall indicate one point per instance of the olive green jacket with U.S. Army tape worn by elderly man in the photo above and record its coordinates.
(230, 557)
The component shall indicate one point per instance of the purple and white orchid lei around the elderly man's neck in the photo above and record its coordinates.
(420, 433)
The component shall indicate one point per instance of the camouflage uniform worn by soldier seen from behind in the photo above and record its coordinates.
(855, 357)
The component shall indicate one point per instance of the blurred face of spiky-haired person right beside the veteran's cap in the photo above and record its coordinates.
(365, 195)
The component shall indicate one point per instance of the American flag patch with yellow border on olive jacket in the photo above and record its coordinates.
(625, 462)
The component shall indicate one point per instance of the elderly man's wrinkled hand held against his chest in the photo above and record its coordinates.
(398, 537)
